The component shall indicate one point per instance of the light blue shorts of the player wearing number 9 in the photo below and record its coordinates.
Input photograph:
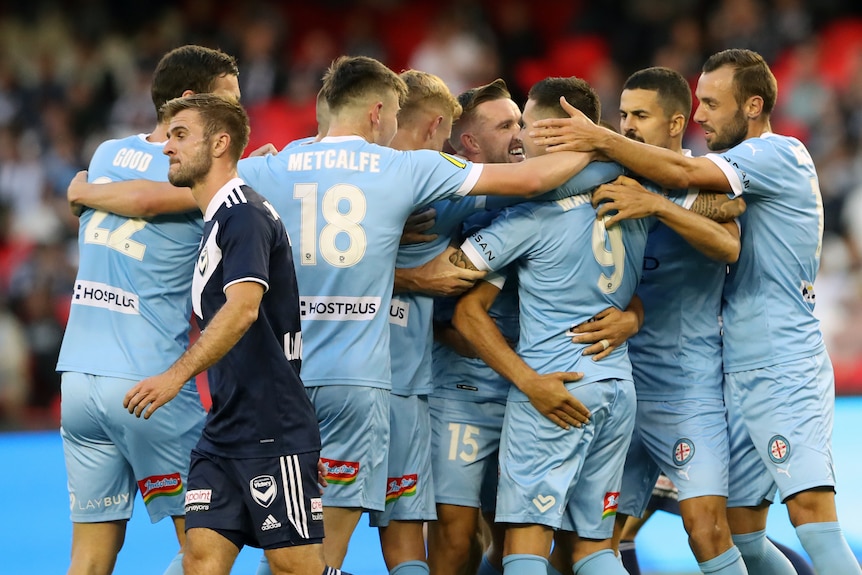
(567, 479)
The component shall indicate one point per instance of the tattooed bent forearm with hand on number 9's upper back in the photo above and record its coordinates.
(630, 200)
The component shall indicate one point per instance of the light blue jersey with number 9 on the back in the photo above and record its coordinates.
(571, 267)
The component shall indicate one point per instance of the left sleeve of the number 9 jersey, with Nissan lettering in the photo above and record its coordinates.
(511, 235)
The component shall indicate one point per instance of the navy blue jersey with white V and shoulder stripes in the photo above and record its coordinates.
(259, 404)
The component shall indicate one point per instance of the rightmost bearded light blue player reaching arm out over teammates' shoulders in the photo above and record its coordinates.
(775, 363)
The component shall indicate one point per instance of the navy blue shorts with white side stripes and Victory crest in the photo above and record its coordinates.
(267, 503)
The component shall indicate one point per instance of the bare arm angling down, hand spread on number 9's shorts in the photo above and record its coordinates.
(547, 393)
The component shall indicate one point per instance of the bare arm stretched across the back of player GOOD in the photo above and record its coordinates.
(132, 198)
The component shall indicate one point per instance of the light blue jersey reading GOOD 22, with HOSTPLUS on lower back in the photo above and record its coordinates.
(132, 298)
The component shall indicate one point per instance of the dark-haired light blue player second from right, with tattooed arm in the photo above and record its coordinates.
(681, 424)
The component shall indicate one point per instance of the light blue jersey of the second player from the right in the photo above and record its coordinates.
(675, 355)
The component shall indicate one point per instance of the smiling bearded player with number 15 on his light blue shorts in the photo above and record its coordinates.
(468, 398)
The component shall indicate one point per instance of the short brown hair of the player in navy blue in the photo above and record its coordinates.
(218, 114)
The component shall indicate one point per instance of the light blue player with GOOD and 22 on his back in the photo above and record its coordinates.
(129, 319)
